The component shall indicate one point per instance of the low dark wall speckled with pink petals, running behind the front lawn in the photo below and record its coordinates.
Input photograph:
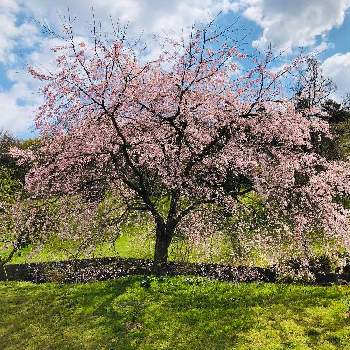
(87, 270)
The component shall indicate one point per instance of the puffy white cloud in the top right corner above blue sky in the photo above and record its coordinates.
(293, 23)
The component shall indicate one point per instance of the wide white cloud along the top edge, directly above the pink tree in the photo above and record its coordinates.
(151, 16)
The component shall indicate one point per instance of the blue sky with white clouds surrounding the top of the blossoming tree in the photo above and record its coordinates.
(317, 25)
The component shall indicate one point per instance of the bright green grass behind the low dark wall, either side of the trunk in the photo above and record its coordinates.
(134, 242)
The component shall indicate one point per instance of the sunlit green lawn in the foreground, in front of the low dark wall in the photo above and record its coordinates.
(173, 313)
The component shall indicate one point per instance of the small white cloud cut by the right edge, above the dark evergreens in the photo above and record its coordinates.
(337, 67)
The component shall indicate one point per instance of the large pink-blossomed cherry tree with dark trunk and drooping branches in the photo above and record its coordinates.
(198, 127)
